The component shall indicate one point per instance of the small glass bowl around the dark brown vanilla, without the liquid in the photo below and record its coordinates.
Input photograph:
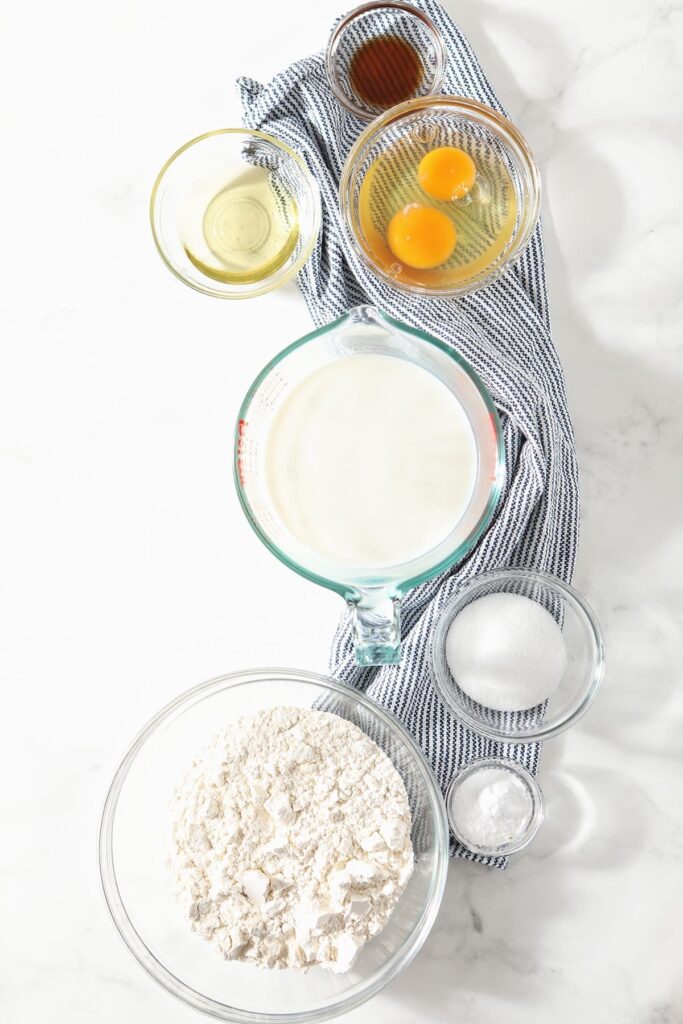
(370, 22)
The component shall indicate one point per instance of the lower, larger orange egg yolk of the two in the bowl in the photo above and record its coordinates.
(421, 237)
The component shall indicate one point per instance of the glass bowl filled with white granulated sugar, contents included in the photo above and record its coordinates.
(519, 656)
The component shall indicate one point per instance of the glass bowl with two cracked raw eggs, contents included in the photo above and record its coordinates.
(440, 195)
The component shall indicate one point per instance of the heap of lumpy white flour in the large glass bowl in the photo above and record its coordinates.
(291, 840)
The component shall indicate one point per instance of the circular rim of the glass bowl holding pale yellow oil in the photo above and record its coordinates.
(273, 283)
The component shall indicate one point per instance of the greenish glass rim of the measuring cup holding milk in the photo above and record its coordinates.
(413, 579)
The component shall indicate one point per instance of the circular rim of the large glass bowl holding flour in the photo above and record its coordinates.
(409, 949)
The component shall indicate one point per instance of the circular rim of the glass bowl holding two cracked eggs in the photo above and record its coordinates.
(468, 108)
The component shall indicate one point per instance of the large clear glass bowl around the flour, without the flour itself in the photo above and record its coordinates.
(140, 894)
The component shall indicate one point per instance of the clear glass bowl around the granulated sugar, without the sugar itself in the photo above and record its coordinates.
(583, 673)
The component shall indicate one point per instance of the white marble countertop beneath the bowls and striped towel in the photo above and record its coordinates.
(130, 573)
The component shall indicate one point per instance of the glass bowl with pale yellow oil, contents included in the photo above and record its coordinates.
(235, 214)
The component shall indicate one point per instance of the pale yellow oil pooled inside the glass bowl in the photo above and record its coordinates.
(250, 230)
